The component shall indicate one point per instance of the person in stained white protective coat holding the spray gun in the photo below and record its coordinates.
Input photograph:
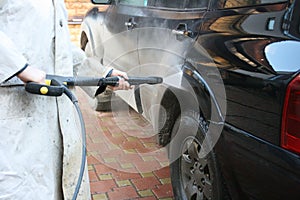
(40, 141)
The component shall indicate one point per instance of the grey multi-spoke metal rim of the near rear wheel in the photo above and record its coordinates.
(195, 173)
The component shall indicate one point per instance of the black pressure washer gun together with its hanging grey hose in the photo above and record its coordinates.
(58, 85)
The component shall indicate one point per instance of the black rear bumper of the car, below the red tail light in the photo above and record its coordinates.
(256, 168)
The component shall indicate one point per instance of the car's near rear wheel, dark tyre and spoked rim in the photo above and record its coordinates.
(193, 176)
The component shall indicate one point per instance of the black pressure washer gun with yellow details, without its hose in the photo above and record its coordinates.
(55, 85)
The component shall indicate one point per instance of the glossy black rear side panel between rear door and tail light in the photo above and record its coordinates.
(252, 85)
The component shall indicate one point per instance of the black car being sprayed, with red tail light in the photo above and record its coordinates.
(229, 108)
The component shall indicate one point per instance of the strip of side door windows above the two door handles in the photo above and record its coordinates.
(174, 4)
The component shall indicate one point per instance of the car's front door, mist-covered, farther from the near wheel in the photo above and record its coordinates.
(120, 41)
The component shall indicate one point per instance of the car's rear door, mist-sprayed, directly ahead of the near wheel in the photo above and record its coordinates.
(166, 29)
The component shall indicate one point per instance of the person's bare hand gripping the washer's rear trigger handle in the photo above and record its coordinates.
(32, 74)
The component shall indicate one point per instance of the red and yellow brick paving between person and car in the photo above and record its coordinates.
(124, 161)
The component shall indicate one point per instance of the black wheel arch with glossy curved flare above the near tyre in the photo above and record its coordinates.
(207, 105)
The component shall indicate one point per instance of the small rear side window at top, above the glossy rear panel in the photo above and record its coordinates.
(243, 3)
